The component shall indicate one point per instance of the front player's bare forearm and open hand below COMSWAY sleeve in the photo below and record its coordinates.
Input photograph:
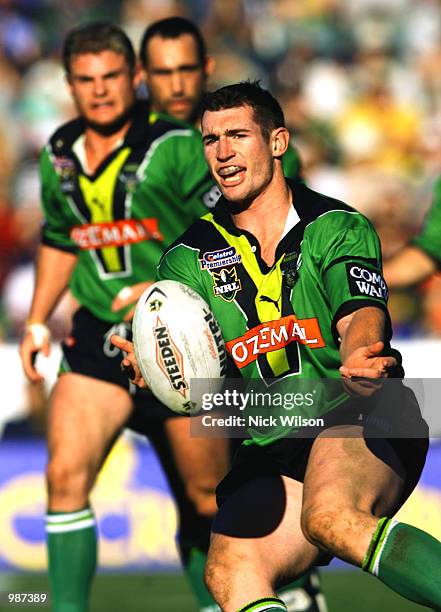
(362, 342)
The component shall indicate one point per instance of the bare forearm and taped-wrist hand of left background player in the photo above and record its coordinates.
(53, 271)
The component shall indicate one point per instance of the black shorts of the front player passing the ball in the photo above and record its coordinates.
(289, 456)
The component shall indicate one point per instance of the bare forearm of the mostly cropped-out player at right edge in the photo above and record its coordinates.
(408, 267)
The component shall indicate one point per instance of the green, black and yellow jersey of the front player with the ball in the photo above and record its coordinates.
(279, 322)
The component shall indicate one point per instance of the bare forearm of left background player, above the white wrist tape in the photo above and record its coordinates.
(53, 271)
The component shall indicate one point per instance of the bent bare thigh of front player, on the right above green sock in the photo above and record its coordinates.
(346, 472)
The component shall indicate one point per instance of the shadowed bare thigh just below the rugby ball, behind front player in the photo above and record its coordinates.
(201, 462)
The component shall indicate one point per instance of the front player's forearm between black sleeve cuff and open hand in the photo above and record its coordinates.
(361, 328)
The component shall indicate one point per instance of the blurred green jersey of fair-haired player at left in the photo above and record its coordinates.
(120, 220)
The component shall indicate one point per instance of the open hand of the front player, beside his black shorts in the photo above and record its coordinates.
(365, 369)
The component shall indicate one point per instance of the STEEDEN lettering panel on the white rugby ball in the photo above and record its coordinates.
(169, 358)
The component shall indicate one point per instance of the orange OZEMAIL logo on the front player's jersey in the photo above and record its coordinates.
(274, 335)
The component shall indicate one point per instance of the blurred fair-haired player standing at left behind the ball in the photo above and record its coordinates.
(119, 184)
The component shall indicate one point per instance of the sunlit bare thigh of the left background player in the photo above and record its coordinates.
(86, 415)
